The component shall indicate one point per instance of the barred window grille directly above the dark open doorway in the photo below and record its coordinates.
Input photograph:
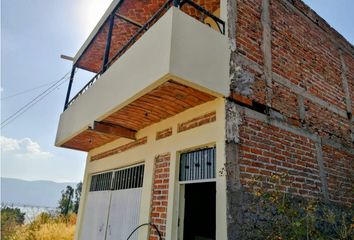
(197, 165)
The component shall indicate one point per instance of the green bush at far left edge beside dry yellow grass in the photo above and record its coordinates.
(10, 219)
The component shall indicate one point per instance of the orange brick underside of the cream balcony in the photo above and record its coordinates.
(167, 100)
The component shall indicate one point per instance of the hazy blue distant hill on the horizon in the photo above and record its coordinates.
(34, 193)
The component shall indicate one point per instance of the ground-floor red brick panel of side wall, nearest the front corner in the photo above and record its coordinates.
(267, 150)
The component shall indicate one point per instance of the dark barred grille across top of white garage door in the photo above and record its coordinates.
(118, 179)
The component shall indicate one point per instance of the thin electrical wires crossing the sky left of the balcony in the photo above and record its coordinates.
(35, 100)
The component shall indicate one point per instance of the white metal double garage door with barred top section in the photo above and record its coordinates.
(113, 204)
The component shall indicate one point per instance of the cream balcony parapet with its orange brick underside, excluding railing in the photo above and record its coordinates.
(179, 61)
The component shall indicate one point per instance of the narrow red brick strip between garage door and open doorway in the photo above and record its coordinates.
(160, 195)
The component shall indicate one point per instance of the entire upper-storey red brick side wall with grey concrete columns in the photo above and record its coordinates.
(306, 53)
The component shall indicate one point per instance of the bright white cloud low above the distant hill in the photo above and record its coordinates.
(22, 148)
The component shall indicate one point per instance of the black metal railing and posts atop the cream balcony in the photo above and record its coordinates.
(107, 63)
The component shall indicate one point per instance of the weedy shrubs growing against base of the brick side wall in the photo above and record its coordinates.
(273, 213)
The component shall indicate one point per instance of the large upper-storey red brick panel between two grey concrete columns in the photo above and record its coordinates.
(301, 53)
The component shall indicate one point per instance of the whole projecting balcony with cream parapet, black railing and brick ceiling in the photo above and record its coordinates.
(171, 63)
